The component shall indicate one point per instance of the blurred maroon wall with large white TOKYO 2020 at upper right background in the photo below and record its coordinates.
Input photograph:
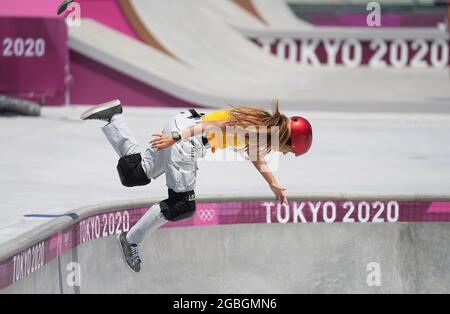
(380, 48)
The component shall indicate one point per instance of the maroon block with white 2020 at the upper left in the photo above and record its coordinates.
(32, 45)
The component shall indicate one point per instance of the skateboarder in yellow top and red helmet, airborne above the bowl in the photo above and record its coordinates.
(175, 151)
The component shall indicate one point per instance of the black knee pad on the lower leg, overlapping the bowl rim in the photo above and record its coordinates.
(178, 206)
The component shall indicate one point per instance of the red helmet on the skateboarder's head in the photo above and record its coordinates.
(301, 135)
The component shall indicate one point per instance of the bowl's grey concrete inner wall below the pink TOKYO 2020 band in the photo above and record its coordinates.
(319, 258)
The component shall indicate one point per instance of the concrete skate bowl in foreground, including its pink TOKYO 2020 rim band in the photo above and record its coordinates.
(243, 245)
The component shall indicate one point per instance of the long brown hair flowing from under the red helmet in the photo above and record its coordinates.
(263, 123)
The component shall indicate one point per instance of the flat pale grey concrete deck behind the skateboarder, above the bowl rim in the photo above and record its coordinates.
(56, 162)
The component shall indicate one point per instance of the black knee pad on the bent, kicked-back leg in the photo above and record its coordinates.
(131, 172)
